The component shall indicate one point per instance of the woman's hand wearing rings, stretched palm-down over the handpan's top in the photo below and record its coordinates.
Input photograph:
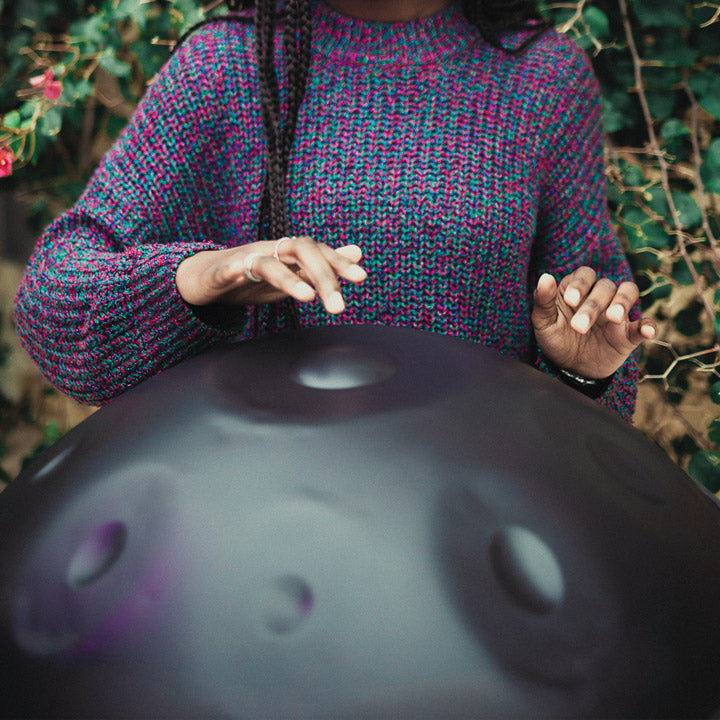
(297, 267)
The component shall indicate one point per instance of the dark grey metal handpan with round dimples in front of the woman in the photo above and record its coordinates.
(357, 522)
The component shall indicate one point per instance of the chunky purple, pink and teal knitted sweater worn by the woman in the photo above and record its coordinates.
(461, 171)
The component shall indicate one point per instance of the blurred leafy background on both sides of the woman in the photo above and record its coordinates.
(73, 71)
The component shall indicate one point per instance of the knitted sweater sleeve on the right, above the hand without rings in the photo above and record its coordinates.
(574, 226)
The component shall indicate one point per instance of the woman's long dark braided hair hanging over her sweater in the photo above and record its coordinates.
(490, 17)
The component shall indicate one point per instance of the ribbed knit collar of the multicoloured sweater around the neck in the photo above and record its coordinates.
(424, 41)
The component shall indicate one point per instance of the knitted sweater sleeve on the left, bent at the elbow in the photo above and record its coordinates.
(98, 309)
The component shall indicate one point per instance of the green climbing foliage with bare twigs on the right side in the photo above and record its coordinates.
(658, 64)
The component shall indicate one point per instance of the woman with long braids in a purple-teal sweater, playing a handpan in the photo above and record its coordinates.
(458, 145)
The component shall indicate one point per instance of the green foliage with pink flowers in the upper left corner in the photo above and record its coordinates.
(100, 56)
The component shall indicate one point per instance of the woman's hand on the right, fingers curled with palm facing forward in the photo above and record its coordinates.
(582, 323)
